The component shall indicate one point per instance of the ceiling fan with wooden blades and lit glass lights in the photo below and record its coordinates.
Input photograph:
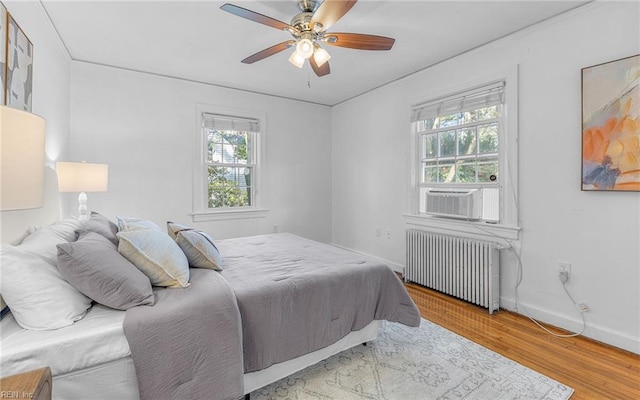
(309, 31)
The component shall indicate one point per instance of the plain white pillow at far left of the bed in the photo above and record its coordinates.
(36, 293)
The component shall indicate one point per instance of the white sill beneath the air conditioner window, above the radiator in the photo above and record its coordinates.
(480, 230)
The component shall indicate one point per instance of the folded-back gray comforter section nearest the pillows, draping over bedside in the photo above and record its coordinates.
(188, 346)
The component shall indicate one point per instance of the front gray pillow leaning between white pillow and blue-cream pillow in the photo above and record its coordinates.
(94, 267)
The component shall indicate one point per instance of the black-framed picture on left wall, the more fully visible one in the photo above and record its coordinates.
(19, 78)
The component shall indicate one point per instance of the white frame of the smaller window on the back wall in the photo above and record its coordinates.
(201, 210)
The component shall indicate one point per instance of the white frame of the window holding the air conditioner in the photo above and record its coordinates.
(508, 227)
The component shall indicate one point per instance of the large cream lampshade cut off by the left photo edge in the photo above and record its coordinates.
(22, 162)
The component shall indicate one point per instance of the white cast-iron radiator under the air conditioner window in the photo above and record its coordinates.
(461, 267)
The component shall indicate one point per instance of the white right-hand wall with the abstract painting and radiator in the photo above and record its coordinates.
(598, 232)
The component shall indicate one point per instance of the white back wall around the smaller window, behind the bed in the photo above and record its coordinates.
(144, 127)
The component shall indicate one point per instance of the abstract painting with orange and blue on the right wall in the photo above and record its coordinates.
(611, 125)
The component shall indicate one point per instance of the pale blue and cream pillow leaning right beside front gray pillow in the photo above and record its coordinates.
(157, 255)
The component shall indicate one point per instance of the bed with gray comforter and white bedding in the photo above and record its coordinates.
(277, 304)
